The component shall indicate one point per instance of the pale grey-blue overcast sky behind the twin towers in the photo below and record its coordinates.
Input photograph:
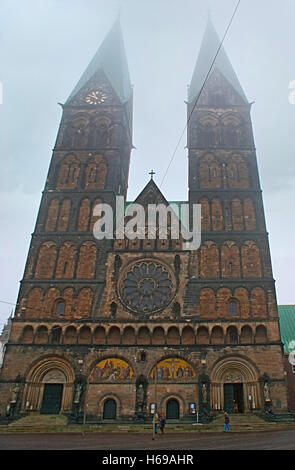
(47, 44)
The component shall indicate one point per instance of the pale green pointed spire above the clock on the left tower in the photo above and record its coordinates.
(111, 59)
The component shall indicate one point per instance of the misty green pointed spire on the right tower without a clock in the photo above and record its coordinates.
(209, 47)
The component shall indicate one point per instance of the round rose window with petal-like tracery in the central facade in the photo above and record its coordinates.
(147, 287)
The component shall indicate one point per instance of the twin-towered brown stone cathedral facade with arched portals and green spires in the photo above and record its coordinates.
(113, 329)
